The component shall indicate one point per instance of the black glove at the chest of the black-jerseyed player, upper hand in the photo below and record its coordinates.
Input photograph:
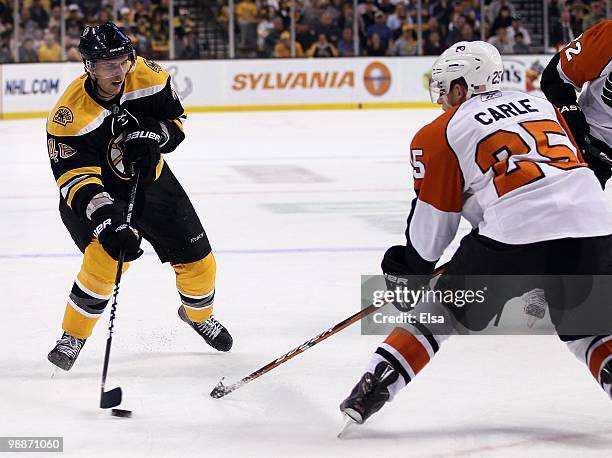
(141, 147)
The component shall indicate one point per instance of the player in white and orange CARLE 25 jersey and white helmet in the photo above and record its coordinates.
(507, 162)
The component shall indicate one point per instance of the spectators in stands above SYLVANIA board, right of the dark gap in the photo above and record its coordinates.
(325, 28)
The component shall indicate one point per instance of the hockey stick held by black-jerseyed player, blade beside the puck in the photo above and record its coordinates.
(113, 397)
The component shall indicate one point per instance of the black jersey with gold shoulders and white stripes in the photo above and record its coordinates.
(85, 135)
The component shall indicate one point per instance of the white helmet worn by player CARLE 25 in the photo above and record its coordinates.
(478, 62)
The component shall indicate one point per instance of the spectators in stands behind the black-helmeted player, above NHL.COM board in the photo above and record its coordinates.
(145, 21)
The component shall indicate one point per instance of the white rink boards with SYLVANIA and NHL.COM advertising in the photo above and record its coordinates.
(30, 90)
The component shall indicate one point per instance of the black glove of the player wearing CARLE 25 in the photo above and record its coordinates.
(400, 277)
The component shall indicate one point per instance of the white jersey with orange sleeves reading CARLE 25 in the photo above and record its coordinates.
(508, 164)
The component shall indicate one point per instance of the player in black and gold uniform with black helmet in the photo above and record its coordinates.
(124, 111)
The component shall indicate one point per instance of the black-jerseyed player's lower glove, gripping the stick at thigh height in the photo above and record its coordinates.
(114, 233)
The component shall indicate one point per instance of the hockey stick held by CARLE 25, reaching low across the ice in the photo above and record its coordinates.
(223, 390)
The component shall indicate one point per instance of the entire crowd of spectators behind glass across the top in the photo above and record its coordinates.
(323, 28)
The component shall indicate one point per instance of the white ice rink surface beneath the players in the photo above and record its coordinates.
(297, 206)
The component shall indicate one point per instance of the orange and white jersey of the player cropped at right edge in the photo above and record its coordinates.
(586, 63)
